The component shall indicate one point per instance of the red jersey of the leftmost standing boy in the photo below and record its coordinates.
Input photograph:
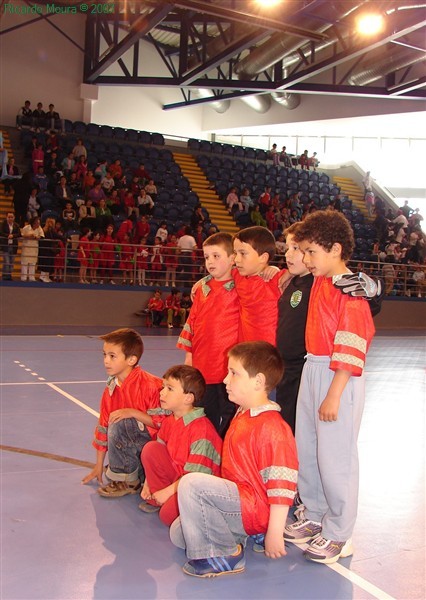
(212, 328)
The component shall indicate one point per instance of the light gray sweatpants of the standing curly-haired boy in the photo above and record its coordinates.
(328, 454)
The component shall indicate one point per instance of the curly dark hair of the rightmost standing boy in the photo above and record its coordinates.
(325, 228)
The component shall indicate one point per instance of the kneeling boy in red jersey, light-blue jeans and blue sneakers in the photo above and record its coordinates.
(259, 473)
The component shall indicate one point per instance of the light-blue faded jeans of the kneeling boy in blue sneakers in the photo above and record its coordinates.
(210, 515)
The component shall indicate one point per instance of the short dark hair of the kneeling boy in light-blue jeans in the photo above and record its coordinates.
(260, 357)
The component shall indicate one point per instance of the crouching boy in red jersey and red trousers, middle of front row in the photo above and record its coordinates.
(186, 442)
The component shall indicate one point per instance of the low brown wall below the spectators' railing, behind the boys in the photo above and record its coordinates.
(62, 305)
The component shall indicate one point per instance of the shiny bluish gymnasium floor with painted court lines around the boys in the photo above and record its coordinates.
(61, 541)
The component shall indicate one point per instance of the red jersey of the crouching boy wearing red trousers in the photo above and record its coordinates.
(192, 441)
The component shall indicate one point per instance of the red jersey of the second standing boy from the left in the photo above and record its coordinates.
(258, 307)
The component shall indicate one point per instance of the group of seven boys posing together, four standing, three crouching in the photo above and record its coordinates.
(240, 337)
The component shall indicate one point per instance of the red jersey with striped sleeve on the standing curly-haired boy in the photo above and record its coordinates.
(339, 326)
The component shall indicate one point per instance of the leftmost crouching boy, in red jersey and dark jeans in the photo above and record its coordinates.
(120, 430)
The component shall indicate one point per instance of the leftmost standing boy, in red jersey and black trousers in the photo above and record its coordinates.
(212, 327)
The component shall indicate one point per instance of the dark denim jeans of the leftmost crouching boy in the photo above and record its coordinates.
(125, 443)
